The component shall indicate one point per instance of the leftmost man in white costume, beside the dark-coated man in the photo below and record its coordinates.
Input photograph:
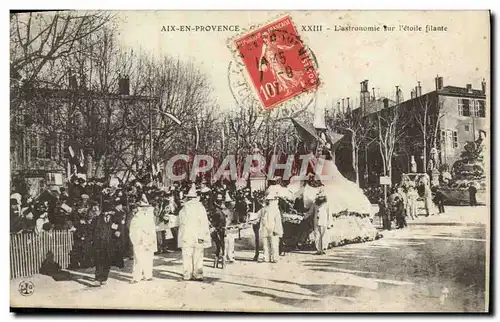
(143, 238)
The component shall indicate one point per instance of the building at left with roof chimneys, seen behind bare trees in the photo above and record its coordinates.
(49, 127)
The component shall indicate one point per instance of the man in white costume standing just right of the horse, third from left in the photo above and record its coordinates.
(271, 228)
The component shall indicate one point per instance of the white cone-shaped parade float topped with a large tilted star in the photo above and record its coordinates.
(349, 208)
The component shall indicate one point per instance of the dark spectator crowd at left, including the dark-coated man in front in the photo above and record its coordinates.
(84, 206)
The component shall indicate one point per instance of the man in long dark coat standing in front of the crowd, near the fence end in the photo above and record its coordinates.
(106, 237)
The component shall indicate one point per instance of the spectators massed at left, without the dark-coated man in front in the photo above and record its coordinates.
(74, 208)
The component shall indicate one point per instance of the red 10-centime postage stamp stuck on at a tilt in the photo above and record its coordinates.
(278, 63)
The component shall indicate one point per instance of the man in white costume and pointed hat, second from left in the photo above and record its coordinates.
(194, 236)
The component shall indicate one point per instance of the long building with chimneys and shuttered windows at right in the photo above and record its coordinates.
(450, 116)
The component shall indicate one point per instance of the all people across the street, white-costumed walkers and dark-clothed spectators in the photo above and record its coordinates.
(113, 222)
